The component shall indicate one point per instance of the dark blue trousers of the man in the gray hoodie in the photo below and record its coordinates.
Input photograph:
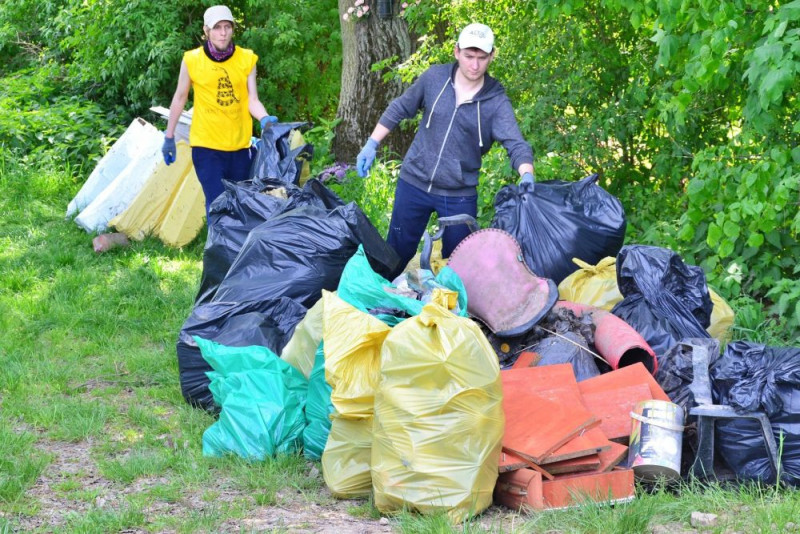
(412, 210)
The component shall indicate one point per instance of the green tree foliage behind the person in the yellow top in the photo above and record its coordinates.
(125, 55)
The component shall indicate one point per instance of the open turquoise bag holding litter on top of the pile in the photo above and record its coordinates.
(370, 292)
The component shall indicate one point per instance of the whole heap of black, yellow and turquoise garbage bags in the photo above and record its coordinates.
(300, 342)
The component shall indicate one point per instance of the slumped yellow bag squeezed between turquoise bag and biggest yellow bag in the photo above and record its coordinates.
(352, 347)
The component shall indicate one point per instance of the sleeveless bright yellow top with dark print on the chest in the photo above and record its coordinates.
(221, 118)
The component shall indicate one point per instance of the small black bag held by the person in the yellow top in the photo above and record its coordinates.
(274, 159)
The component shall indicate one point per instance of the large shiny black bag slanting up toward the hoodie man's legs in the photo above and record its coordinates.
(295, 255)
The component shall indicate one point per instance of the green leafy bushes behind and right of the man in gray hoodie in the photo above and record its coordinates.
(689, 112)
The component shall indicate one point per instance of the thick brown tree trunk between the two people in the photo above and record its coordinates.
(364, 95)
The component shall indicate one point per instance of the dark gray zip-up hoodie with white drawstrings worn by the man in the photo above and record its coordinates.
(445, 156)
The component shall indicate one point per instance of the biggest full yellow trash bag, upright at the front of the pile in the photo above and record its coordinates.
(438, 417)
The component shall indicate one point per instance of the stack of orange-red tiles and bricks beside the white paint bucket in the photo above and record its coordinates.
(564, 440)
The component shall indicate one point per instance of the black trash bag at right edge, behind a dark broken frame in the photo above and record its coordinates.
(754, 377)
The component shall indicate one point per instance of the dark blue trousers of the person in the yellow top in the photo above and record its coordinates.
(213, 166)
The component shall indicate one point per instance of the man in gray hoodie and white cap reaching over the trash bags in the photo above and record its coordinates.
(464, 112)
